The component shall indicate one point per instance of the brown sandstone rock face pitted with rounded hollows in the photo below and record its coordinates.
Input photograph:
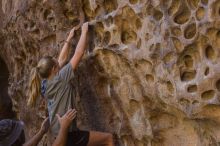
(150, 74)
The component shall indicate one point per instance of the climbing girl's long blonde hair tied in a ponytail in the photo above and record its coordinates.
(43, 70)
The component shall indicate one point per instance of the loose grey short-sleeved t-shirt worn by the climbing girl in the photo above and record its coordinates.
(61, 97)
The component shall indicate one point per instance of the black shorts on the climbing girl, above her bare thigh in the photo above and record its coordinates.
(78, 138)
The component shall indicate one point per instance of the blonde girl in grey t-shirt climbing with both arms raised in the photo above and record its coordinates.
(60, 93)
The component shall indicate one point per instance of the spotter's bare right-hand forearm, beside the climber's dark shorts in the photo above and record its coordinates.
(61, 138)
